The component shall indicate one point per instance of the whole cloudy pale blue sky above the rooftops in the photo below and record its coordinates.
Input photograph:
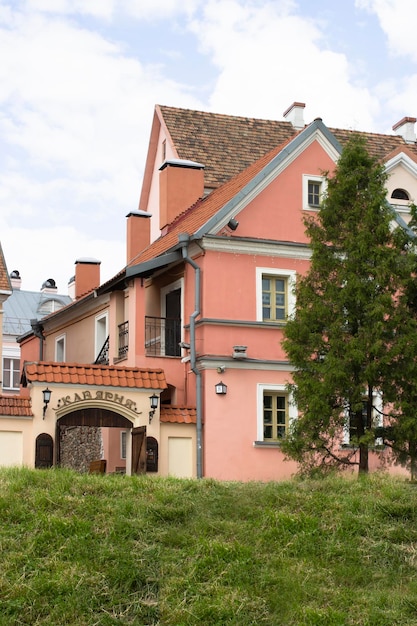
(79, 80)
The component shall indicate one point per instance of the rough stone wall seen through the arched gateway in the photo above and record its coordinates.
(79, 445)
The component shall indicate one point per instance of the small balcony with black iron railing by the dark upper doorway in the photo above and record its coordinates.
(162, 336)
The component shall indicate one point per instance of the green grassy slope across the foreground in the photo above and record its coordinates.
(104, 550)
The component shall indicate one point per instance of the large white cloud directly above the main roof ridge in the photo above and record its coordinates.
(269, 57)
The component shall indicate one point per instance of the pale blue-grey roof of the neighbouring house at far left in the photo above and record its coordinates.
(23, 306)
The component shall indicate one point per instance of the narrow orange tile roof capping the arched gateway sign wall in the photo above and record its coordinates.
(101, 375)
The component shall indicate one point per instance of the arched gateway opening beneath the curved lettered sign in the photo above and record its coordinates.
(80, 434)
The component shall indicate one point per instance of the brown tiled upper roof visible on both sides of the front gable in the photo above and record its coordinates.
(227, 144)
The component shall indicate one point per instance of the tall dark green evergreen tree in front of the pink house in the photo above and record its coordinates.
(344, 338)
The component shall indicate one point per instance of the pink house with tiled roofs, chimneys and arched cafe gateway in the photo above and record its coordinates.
(196, 315)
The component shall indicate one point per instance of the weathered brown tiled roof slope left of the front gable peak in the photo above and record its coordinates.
(224, 144)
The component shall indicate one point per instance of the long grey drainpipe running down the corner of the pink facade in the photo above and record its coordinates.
(184, 240)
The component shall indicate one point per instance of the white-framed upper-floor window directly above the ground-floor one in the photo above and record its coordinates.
(275, 298)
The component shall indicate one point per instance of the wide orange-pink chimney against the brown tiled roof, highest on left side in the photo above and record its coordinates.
(181, 184)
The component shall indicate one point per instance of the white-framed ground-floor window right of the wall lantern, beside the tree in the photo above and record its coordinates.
(276, 411)
